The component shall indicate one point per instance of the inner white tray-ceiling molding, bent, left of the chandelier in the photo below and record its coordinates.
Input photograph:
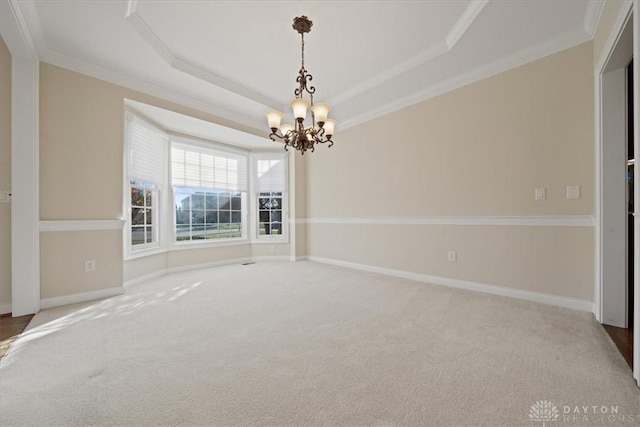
(177, 63)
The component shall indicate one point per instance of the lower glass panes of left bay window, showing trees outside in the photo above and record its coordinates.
(142, 210)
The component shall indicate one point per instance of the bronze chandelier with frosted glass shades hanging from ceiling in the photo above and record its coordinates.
(299, 136)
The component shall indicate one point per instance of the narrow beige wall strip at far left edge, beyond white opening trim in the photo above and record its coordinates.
(5, 177)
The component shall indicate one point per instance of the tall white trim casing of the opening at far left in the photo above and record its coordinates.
(25, 81)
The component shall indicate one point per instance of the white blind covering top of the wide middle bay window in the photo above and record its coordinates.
(202, 167)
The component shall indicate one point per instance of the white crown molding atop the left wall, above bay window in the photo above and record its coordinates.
(148, 88)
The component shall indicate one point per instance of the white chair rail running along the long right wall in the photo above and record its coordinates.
(536, 221)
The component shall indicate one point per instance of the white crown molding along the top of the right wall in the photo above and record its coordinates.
(479, 73)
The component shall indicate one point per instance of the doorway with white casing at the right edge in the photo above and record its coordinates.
(618, 235)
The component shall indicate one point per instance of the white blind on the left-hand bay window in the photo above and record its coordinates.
(147, 160)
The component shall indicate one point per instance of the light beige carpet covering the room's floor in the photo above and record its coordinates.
(308, 344)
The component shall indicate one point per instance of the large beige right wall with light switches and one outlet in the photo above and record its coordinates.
(480, 150)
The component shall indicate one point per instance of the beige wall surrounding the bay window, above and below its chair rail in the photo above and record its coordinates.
(81, 178)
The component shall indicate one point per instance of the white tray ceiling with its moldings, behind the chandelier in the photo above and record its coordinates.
(236, 59)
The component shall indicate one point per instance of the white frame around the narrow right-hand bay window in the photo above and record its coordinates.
(255, 194)
